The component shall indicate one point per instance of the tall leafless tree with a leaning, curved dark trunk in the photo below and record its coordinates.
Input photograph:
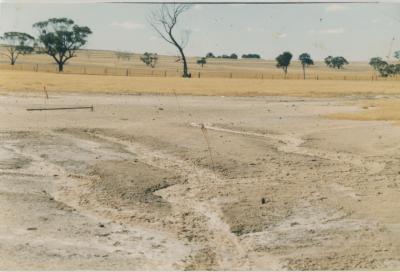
(164, 20)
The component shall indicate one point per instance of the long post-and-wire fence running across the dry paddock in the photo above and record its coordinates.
(196, 73)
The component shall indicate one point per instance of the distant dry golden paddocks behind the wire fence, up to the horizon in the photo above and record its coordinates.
(107, 63)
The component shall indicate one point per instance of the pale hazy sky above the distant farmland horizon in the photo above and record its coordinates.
(356, 31)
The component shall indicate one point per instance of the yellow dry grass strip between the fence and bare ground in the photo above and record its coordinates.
(35, 81)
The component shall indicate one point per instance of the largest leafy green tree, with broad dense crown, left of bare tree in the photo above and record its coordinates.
(60, 38)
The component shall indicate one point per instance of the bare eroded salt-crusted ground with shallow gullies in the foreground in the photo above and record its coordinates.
(268, 183)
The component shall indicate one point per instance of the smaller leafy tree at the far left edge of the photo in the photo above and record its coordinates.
(17, 43)
